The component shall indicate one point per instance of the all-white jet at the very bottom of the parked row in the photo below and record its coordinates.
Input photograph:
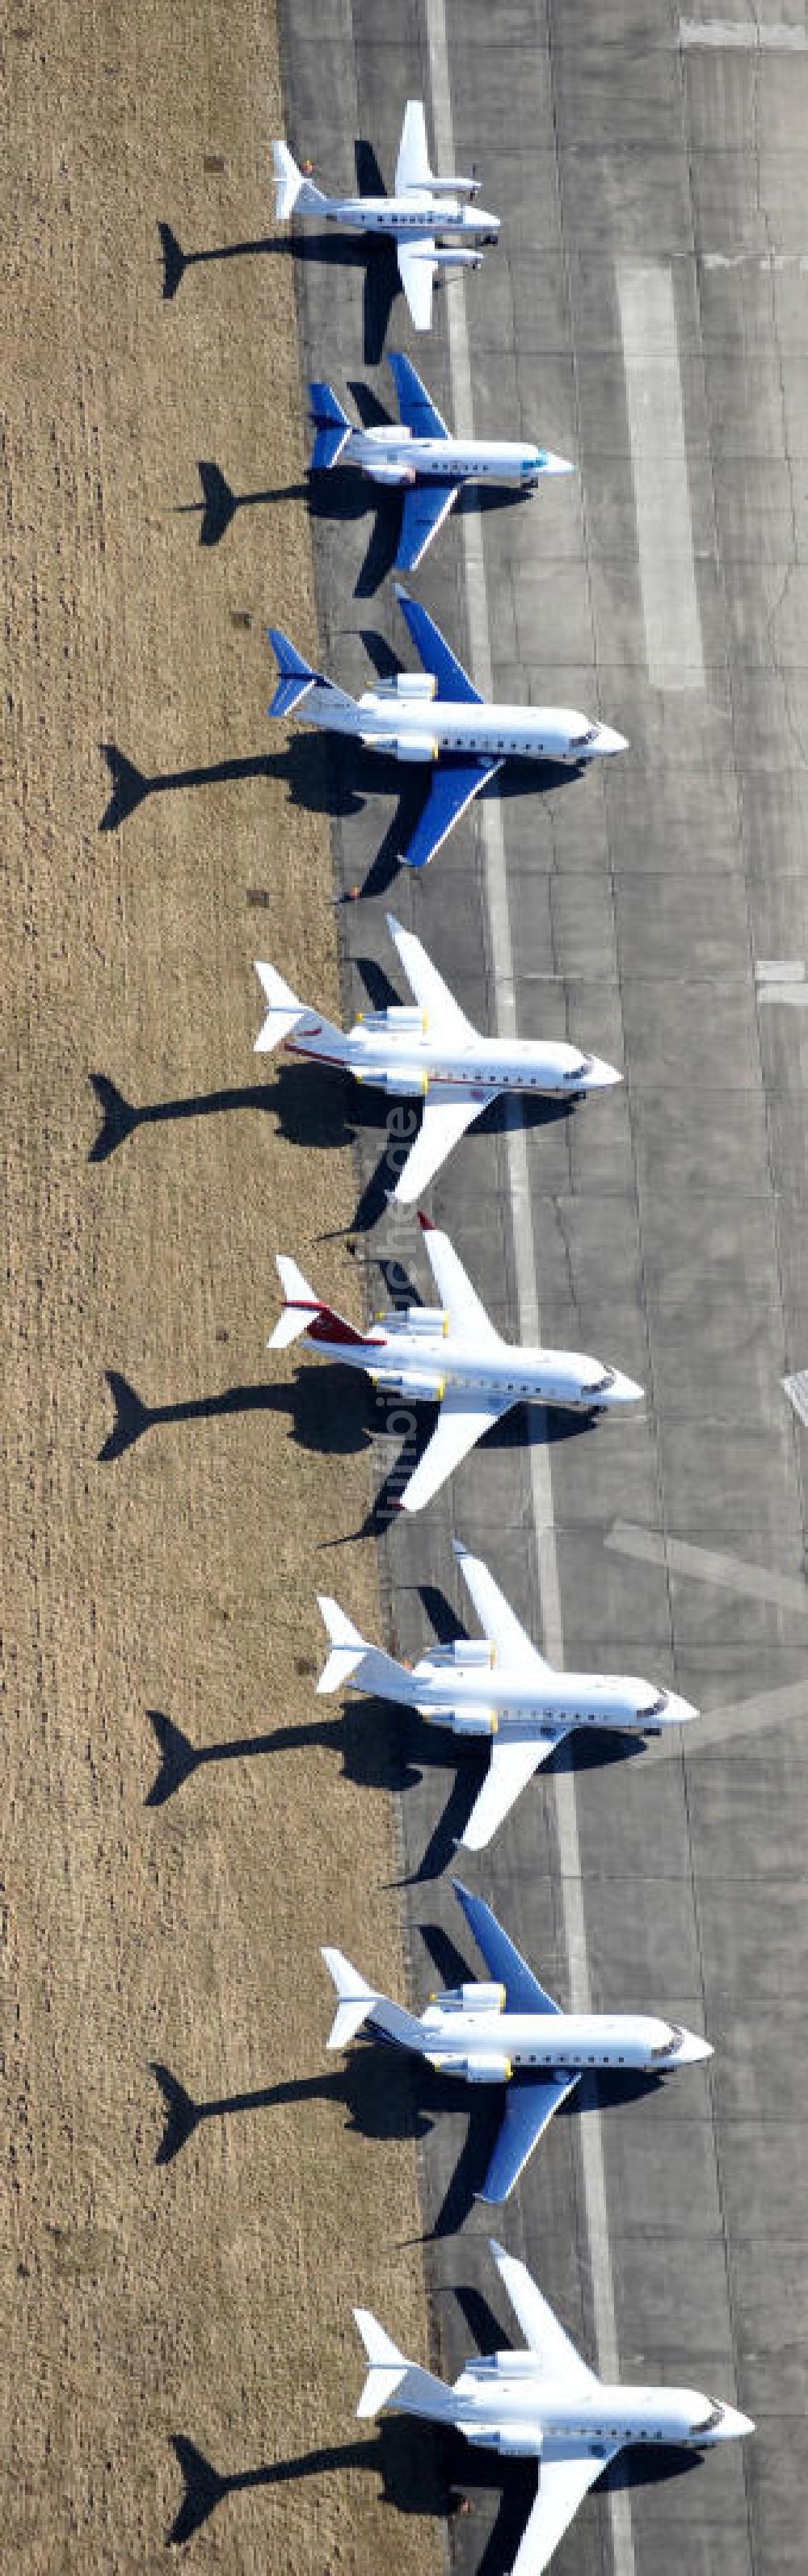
(541, 2405)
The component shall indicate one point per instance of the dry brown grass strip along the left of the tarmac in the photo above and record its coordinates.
(177, 2302)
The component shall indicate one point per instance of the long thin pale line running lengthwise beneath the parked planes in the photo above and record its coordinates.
(502, 952)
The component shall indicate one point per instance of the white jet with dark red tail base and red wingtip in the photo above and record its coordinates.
(448, 1356)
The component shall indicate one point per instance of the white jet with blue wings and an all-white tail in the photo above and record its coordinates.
(510, 2031)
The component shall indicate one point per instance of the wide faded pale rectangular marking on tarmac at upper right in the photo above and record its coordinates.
(660, 470)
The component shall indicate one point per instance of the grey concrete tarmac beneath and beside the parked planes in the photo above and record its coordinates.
(644, 316)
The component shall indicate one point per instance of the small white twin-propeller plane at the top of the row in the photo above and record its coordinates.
(417, 210)
